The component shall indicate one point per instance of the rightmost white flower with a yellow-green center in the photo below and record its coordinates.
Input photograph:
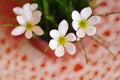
(84, 24)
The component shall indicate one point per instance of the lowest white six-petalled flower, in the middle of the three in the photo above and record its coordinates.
(62, 41)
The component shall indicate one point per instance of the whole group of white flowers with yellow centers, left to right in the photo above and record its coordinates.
(83, 23)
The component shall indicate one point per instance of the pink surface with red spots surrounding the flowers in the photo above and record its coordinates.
(19, 60)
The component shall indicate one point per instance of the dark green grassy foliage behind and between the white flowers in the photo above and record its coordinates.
(54, 11)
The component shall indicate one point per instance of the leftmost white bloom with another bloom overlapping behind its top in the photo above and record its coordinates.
(28, 20)
